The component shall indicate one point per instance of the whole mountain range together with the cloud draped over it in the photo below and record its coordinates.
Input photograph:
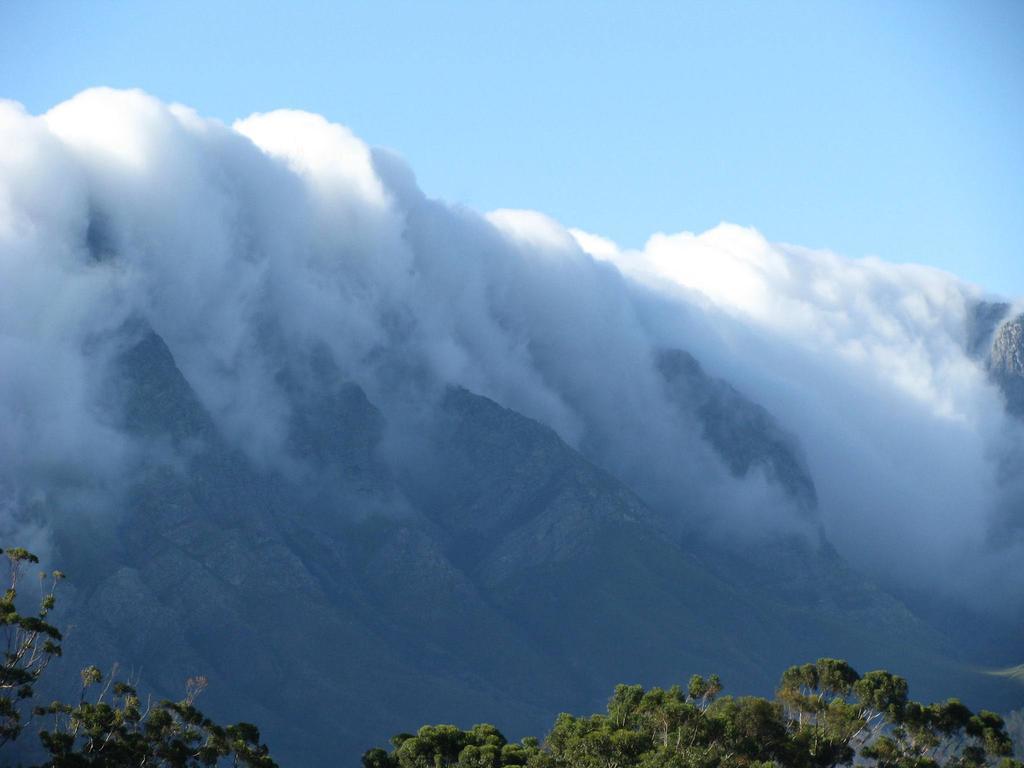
(227, 347)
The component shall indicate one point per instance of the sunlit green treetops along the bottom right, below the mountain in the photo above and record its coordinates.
(825, 715)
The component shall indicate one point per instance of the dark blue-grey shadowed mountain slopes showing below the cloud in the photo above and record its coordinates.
(500, 577)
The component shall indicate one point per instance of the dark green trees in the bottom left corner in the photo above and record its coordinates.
(110, 728)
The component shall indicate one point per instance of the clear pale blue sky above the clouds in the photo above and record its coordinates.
(894, 130)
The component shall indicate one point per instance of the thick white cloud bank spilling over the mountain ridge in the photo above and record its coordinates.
(251, 247)
